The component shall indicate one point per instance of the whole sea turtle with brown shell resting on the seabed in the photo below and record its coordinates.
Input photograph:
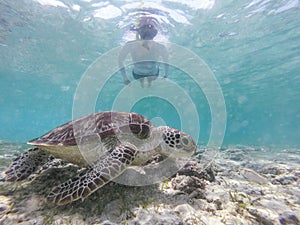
(106, 143)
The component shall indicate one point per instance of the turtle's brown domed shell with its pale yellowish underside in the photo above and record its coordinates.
(90, 131)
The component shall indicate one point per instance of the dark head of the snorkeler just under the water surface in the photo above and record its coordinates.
(147, 28)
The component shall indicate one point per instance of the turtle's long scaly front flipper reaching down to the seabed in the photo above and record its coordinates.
(109, 166)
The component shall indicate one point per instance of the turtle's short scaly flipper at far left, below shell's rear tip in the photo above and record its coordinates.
(26, 164)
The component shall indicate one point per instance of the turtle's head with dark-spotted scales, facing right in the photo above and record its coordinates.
(176, 143)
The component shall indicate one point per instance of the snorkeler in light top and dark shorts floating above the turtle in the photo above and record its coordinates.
(145, 53)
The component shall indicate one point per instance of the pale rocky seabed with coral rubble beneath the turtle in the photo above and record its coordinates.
(239, 185)
